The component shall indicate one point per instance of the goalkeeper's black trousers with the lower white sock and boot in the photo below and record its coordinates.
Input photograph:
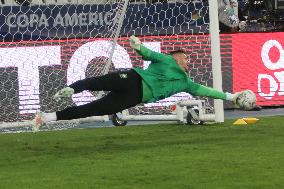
(126, 92)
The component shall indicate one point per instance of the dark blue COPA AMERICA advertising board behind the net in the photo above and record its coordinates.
(83, 21)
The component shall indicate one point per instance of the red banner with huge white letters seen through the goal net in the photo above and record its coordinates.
(32, 71)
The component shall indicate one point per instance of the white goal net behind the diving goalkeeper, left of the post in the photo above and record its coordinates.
(49, 45)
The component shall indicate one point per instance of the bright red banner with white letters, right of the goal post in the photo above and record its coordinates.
(258, 65)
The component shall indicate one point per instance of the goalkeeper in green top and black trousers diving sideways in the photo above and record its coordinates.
(165, 76)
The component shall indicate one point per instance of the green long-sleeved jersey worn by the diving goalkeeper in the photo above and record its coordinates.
(164, 77)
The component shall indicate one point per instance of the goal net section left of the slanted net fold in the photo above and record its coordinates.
(31, 72)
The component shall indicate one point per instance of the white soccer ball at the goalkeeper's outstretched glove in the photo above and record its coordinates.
(246, 100)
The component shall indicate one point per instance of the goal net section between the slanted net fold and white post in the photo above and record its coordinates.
(187, 29)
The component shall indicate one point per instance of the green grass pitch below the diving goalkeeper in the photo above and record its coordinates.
(156, 156)
